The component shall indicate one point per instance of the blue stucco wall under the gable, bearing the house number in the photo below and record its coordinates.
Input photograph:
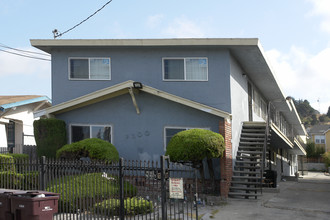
(140, 136)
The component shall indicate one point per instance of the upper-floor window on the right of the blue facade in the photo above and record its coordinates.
(185, 69)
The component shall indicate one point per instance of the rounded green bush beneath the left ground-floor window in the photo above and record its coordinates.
(94, 148)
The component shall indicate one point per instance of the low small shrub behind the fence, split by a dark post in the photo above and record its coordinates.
(132, 206)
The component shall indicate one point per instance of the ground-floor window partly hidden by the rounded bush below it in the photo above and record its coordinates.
(80, 132)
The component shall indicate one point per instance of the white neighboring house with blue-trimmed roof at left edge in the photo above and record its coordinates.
(16, 120)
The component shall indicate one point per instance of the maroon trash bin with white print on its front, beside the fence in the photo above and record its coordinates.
(38, 205)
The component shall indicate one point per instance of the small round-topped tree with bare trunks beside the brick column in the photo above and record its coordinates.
(193, 146)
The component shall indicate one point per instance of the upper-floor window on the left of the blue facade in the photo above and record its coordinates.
(89, 68)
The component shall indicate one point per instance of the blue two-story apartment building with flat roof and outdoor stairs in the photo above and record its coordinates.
(225, 85)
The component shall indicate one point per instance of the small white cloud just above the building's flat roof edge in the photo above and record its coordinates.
(183, 28)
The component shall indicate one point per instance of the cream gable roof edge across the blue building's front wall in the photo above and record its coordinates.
(120, 89)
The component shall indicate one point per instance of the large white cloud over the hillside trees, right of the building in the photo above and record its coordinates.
(303, 75)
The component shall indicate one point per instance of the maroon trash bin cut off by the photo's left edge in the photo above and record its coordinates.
(5, 203)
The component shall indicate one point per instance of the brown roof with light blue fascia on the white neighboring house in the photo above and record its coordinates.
(7, 102)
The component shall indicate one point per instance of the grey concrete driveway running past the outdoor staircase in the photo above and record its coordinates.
(309, 198)
